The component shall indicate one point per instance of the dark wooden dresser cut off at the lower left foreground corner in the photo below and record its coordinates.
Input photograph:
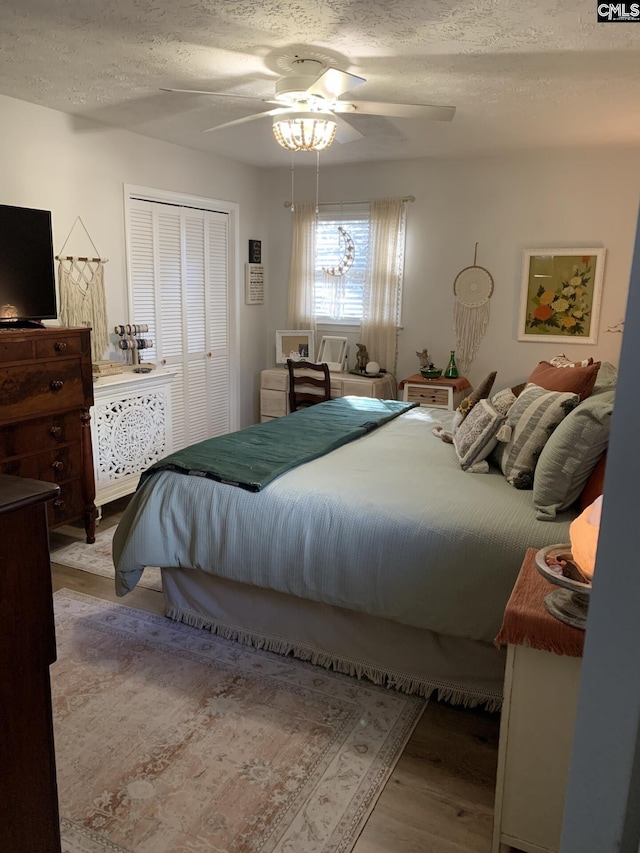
(28, 789)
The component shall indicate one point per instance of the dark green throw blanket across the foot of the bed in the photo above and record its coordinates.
(252, 457)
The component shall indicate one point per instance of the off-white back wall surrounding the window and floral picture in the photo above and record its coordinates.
(559, 199)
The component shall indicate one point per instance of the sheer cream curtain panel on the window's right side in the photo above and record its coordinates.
(381, 316)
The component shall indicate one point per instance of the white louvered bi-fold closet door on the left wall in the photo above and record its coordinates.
(178, 278)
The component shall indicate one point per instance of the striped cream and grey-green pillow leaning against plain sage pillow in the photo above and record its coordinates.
(530, 422)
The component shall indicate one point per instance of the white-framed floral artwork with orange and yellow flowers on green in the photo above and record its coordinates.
(560, 297)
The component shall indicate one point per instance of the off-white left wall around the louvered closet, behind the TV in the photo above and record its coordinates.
(76, 168)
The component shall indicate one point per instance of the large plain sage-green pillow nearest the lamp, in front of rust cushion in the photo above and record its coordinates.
(571, 454)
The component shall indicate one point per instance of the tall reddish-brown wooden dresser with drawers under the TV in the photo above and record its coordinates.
(46, 392)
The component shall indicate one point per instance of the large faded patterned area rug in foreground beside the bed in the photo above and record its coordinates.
(171, 740)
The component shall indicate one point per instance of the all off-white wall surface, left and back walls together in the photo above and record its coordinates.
(75, 168)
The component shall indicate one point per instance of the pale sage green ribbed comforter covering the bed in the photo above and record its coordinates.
(387, 524)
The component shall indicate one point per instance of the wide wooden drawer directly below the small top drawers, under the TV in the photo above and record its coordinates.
(34, 389)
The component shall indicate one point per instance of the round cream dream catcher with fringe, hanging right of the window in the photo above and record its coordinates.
(472, 290)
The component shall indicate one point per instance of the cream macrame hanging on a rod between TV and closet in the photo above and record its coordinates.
(82, 299)
